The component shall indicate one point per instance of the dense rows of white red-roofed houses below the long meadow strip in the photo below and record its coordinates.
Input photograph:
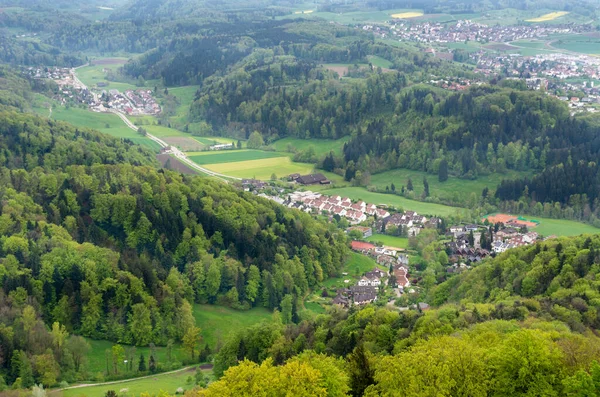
(335, 205)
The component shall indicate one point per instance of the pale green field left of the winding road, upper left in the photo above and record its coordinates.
(104, 122)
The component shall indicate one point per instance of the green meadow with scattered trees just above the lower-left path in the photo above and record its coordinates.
(96, 359)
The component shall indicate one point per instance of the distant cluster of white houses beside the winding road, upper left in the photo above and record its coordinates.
(133, 103)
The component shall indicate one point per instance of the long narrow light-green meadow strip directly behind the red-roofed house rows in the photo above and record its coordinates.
(359, 193)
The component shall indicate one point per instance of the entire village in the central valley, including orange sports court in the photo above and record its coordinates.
(466, 245)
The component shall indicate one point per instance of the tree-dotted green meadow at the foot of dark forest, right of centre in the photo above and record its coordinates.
(454, 189)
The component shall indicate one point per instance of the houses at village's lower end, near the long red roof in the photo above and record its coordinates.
(368, 286)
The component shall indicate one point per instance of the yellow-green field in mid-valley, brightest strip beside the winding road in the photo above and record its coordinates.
(261, 169)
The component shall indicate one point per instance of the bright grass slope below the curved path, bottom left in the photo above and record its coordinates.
(168, 383)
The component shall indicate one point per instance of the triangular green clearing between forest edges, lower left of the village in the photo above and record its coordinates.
(217, 322)
